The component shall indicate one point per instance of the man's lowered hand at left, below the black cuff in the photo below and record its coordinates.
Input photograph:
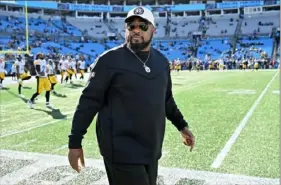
(76, 159)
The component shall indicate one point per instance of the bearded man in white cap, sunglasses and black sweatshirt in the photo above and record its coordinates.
(130, 88)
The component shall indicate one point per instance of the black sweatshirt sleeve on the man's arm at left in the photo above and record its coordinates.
(90, 102)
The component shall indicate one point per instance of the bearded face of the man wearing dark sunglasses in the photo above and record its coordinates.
(139, 33)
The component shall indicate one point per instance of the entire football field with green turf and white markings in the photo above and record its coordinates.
(234, 116)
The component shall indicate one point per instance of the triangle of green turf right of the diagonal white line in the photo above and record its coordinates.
(258, 145)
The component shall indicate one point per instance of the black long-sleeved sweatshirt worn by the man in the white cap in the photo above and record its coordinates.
(132, 106)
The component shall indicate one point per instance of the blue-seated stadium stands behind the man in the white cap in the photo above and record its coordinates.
(179, 37)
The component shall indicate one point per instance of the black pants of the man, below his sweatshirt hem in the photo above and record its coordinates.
(127, 174)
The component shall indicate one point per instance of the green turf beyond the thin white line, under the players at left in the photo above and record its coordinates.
(14, 109)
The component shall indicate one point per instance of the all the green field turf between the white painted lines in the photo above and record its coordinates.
(205, 100)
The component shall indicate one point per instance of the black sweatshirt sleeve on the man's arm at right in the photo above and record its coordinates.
(172, 112)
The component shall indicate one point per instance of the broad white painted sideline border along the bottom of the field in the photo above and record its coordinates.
(170, 175)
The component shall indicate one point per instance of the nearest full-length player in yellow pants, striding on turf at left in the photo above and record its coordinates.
(42, 81)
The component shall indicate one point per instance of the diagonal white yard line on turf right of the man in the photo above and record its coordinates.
(223, 153)
